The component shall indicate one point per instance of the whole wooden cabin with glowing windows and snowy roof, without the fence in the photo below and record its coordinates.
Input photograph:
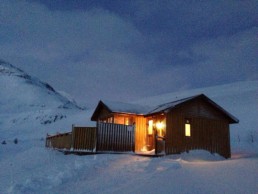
(186, 124)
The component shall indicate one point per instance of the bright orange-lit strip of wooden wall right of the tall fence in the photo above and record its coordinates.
(140, 132)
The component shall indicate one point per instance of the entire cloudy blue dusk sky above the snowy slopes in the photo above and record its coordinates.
(123, 50)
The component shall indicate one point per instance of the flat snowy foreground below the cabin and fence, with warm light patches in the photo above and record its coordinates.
(27, 167)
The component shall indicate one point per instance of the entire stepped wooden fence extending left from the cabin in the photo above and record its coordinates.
(106, 137)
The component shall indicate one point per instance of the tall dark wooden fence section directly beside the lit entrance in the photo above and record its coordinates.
(115, 137)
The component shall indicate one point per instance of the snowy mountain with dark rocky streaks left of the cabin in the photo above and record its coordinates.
(25, 100)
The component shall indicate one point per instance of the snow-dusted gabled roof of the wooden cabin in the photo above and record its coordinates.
(128, 108)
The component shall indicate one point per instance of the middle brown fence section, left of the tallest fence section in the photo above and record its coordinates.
(84, 139)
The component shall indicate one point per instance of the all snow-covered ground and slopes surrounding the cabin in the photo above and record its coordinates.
(28, 167)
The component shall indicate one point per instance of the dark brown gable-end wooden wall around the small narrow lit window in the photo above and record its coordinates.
(209, 129)
